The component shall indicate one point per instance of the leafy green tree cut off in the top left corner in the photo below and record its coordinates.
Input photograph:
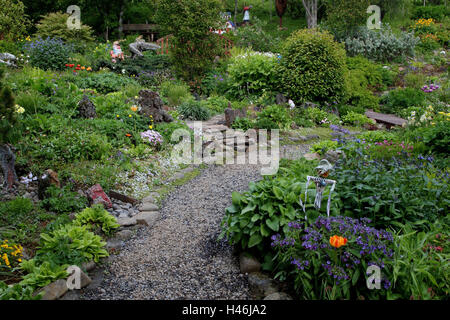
(13, 21)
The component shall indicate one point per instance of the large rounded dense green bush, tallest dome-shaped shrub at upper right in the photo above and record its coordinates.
(313, 67)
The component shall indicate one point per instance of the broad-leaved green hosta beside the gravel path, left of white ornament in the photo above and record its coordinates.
(267, 208)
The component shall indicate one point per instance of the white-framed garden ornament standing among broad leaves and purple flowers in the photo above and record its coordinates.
(321, 182)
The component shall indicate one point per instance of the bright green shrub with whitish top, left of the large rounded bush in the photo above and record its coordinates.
(252, 73)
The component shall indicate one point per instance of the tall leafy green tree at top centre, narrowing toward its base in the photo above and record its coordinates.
(189, 21)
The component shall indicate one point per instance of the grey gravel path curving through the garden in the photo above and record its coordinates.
(179, 258)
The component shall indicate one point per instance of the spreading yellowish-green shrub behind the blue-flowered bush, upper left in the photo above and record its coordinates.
(54, 25)
